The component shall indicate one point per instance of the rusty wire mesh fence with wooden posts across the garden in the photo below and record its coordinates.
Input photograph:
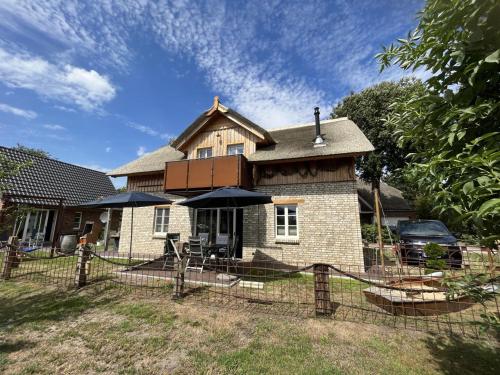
(399, 294)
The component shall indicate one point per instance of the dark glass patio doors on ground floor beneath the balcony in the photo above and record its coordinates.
(216, 221)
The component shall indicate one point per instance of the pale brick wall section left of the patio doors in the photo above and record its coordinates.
(144, 241)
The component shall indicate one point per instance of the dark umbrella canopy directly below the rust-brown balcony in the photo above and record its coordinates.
(227, 197)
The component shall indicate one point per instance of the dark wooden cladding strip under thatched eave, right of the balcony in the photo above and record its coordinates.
(331, 170)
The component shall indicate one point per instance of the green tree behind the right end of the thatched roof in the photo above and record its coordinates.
(368, 109)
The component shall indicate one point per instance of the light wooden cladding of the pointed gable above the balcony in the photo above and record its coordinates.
(218, 134)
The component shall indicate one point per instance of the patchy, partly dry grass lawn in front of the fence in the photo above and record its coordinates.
(45, 331)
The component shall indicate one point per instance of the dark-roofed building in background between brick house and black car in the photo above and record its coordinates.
(394, 206)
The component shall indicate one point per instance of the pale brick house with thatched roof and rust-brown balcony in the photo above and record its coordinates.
(308, 170)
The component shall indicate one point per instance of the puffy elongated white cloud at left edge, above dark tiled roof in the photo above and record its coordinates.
(86, 89)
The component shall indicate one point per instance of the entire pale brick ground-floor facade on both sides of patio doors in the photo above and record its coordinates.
(328, 219)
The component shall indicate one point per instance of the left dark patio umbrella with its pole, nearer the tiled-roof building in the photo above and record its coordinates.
(129, 199)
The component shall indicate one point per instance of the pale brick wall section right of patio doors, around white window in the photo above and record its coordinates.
(329, 225)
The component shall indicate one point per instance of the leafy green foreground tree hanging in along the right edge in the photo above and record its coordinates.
(454, 126)
